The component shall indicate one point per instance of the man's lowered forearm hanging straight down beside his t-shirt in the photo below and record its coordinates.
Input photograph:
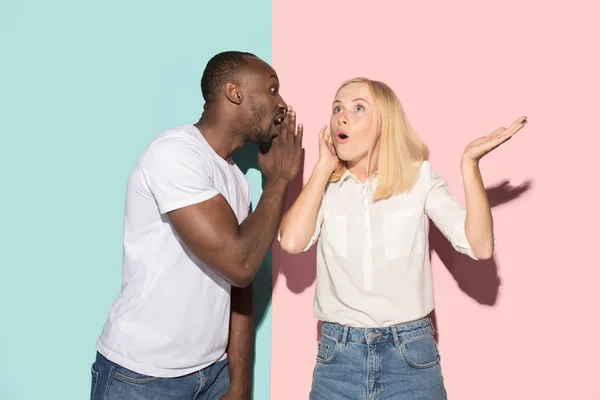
(241, 336)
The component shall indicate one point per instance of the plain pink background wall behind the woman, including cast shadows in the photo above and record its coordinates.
(523, 325)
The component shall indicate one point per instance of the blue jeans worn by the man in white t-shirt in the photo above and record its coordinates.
(110, 381)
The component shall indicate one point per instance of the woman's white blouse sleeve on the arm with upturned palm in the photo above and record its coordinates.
(447, 213)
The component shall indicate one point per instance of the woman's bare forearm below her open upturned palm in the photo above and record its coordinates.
(479, 224)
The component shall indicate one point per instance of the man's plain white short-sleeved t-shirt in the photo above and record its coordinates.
(172, 316)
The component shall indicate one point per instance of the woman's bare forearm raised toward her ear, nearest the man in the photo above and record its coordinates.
(299, 222)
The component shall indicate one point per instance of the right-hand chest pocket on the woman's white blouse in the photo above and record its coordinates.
(402, 234)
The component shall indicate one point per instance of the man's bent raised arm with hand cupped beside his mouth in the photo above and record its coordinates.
(210, 228)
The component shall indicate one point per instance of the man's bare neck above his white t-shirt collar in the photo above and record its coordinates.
(220, 135)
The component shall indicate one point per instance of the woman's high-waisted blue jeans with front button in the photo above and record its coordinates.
(400, 363)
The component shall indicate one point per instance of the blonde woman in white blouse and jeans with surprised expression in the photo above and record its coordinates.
(368, 203)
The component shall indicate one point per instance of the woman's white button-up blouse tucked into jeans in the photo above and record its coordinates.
(373, 266)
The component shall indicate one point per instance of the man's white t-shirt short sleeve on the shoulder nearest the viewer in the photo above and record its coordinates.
(178, 173)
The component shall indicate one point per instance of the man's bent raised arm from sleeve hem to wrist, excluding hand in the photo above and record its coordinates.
(210, 230)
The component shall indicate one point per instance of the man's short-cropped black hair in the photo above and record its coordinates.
(221, 68)
